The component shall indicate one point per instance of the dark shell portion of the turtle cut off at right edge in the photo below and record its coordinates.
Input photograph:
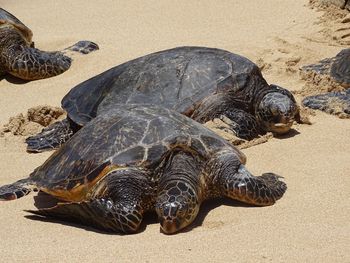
(340, 69)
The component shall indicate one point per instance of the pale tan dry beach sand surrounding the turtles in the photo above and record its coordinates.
(310, 223)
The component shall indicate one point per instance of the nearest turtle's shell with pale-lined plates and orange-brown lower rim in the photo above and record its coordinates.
(128, 135)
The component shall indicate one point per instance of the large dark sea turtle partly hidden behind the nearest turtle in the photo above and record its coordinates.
(201, 83)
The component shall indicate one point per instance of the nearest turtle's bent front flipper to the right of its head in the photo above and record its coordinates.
(236, 182)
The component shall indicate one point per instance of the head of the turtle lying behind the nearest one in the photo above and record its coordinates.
(277, 110)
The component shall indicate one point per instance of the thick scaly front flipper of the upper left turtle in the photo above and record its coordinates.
(31, 64)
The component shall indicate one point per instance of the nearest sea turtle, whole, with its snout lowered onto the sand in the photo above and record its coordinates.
(136, 158)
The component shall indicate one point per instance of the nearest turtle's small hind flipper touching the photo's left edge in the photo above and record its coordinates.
(16, 190)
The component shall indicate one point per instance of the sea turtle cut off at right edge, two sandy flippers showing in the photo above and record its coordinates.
(338, 68)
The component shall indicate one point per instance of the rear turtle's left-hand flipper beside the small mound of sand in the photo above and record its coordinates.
(51, 137)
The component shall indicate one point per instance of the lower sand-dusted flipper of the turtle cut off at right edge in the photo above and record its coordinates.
(336, 102)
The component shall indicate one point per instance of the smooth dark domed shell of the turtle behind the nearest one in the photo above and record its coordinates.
(177, 79)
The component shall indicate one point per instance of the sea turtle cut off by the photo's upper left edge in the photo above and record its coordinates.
(19, 58)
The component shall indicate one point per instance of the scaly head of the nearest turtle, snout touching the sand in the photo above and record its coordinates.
(177, 207)
